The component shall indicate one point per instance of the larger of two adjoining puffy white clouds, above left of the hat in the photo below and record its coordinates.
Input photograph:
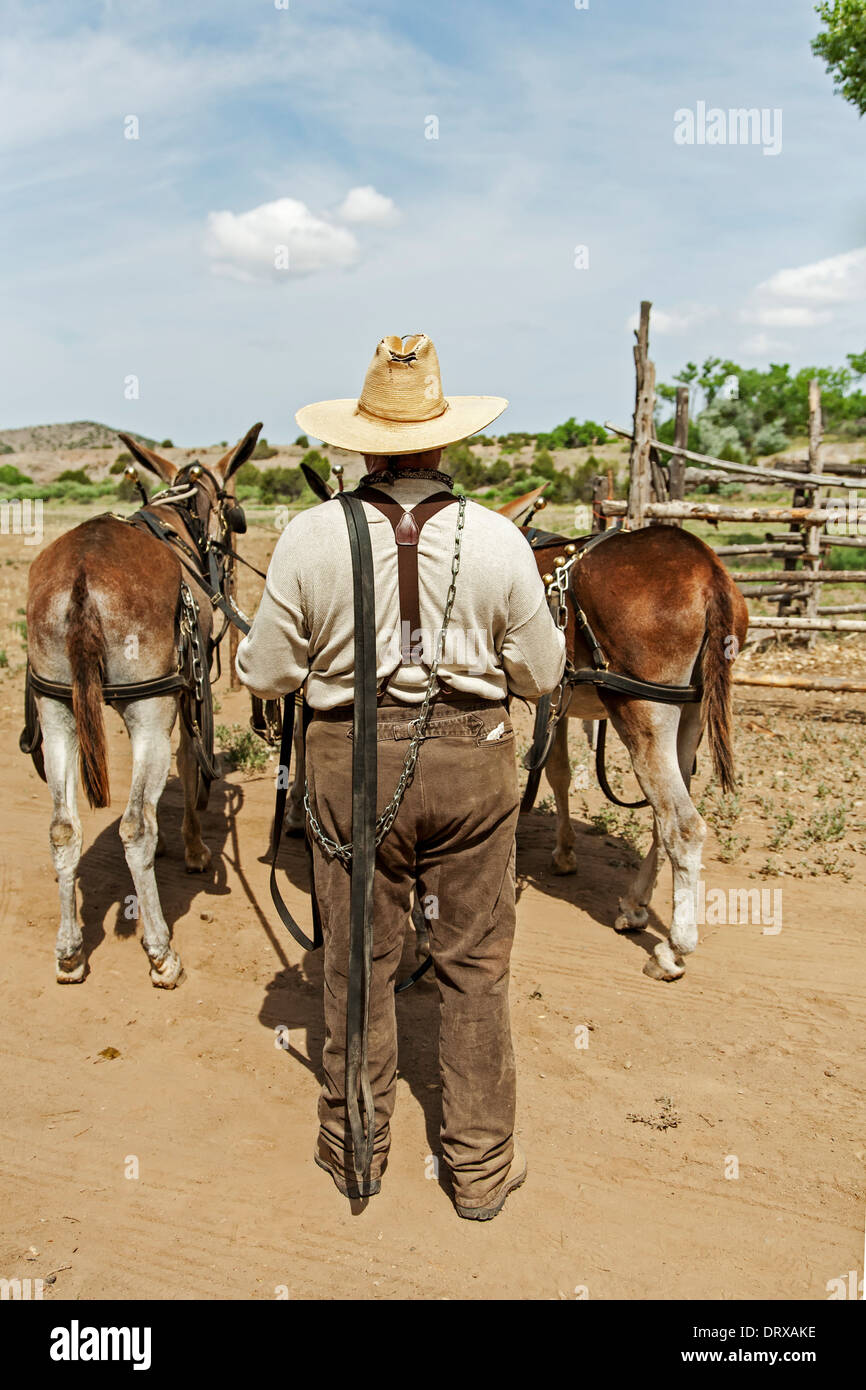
(252, 245)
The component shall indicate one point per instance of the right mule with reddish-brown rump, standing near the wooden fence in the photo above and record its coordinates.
(664, 610)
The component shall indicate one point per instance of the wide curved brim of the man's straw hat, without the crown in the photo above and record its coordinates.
(343, 425)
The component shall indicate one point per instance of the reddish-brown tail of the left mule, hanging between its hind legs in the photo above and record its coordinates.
(87, 653)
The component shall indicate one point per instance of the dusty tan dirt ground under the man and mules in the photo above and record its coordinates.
(754, 1057)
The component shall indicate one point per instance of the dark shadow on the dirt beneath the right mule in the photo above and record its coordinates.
(607, 865)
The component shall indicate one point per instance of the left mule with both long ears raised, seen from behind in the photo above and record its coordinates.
(102, 610)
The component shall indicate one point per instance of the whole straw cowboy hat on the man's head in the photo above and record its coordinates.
(402, 408)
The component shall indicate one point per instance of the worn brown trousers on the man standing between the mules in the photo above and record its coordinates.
(454, 840)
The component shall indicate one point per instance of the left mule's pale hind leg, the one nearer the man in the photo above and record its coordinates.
(149, 723)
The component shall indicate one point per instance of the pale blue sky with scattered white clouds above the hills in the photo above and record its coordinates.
(154, 258)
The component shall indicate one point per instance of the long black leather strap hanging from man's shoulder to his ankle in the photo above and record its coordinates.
(363, 842)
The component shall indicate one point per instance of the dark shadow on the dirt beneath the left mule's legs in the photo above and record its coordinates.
(105, 882)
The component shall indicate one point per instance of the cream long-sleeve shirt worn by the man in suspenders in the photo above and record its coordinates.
(501, 633)
